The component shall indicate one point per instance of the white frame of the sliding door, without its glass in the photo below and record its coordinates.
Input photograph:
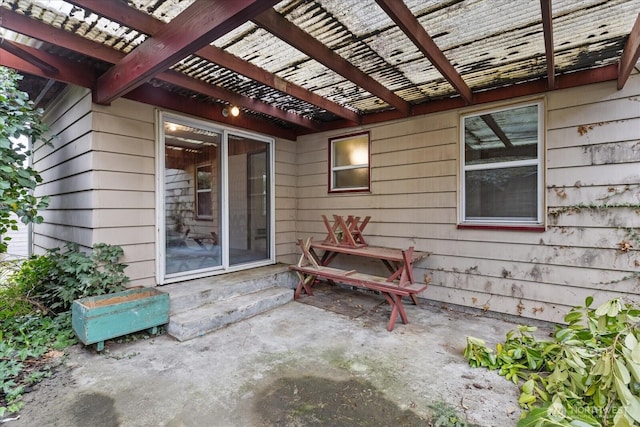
(163, 278)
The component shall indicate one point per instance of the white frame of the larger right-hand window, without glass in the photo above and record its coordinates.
(506, 222)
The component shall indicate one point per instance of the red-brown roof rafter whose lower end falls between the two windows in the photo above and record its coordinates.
(279, 26)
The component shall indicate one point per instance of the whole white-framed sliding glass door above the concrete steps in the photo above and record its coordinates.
(215, 199)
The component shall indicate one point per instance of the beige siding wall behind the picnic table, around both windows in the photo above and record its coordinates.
(592, 197)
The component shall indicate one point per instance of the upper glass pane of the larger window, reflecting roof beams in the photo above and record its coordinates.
(502, 136)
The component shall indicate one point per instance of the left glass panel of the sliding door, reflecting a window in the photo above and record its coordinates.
(192, 171)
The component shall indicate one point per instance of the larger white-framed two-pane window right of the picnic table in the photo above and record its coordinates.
(502, 167)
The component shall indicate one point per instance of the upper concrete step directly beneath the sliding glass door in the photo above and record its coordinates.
(187, 296)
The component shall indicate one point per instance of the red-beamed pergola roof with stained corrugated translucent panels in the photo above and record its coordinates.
(295, 67)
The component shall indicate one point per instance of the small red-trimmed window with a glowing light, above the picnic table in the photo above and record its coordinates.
(349, 163)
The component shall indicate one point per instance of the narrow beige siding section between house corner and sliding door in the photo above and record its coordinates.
(124, 185)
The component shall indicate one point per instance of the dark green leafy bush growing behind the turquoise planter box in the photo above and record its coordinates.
(53, 281)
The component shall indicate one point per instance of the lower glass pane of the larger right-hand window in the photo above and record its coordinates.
(509, 193)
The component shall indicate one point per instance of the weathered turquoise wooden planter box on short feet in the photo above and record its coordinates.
(99, 318)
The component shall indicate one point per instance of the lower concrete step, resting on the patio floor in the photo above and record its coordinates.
(215, 315)
